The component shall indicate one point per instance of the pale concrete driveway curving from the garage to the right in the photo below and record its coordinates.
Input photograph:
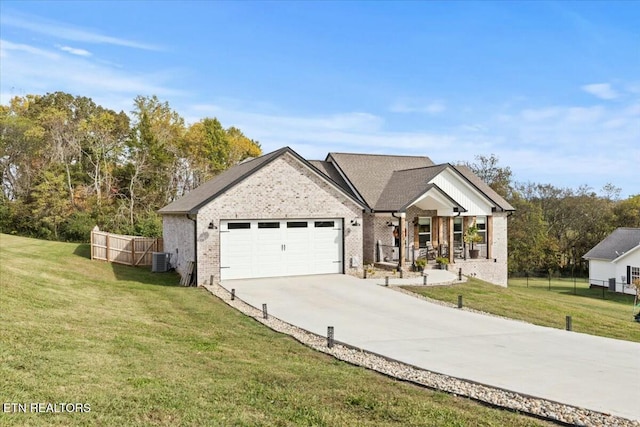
(596, 373)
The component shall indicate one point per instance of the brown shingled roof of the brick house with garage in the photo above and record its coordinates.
(384, 183)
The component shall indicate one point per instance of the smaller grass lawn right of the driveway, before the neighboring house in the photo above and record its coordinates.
(534, 303)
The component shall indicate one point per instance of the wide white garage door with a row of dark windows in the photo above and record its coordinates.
(271, 248)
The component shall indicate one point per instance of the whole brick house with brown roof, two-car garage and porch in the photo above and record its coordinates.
(282, 215)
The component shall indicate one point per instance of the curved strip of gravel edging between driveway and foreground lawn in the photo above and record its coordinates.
(492, 396)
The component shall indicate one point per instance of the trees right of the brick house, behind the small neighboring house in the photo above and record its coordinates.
(553, 227)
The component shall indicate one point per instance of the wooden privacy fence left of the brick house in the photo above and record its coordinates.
(129, 250)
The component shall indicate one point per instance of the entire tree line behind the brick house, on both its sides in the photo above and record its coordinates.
(68, 164)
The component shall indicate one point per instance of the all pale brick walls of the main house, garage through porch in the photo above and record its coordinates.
(286, 188)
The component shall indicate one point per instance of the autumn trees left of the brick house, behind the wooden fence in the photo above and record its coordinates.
(68, 164)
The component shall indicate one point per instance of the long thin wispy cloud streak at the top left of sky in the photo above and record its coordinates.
(59, 30)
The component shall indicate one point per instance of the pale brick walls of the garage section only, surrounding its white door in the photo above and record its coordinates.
(284, 188)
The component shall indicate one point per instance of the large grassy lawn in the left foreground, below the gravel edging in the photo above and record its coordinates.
(142, 351)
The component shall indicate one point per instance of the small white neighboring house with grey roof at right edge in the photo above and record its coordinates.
(615, 261)
